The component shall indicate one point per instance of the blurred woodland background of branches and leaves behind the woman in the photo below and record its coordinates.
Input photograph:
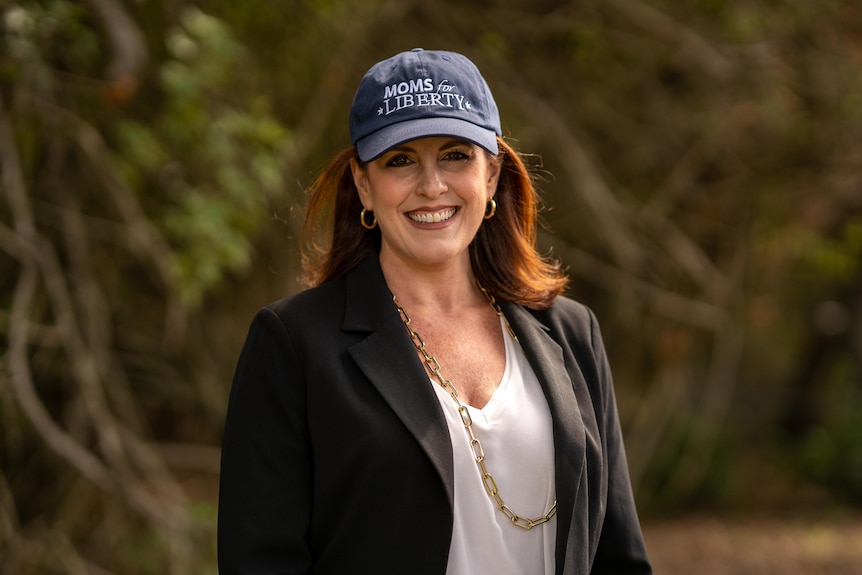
(702, 170)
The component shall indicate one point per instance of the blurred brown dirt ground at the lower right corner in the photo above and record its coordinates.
(705, 546)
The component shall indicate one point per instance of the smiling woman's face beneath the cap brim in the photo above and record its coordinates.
(429, 197)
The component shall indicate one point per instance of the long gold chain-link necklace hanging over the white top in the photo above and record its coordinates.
(479, 455)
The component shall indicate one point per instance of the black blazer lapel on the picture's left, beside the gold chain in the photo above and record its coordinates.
(388, 359)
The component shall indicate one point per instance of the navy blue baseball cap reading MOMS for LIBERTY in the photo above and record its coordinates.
(419, 94)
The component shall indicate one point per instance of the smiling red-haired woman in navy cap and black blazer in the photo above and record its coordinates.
(432, 405)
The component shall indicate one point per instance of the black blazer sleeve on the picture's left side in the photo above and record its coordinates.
(266, 475)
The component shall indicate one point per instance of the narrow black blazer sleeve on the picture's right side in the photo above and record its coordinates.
(621, 548)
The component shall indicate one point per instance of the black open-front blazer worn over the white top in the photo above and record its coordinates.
(336, 456)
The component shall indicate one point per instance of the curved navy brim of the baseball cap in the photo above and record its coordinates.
(373, 145)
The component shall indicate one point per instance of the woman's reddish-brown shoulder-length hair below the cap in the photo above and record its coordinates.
(503, 254)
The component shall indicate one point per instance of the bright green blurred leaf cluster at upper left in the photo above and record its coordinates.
(218, 157)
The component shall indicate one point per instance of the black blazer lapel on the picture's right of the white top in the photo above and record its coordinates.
(546, 358)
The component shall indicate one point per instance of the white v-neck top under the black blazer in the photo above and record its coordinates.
(515, 429)
